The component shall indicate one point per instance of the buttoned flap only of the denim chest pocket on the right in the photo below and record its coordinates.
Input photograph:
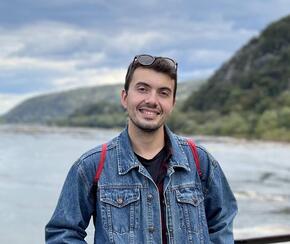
(190, 195)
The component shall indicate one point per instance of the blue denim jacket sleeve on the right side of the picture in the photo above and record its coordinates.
(220, 203)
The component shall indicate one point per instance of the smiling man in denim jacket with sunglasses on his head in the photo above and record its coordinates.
(149, 190)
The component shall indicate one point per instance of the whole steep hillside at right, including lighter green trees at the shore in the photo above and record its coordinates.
(250, 94)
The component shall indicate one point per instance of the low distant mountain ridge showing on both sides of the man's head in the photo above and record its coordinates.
(81, 107)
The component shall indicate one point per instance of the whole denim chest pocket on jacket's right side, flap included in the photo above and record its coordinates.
(191, 209)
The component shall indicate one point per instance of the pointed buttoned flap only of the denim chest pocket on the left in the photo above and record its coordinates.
(119, 197)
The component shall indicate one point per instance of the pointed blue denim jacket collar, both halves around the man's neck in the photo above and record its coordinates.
(127, 160)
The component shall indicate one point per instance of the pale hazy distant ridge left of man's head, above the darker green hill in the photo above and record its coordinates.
(57, 106)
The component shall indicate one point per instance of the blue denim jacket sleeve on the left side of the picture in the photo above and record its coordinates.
(73, 211)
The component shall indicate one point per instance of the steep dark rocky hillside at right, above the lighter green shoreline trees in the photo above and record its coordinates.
(256, 78)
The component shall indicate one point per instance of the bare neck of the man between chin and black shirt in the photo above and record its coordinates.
(146, 144)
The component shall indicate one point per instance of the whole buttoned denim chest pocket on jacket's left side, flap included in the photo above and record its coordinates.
(120, 208)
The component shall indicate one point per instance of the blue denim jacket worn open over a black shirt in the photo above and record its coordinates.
(198, 210)
